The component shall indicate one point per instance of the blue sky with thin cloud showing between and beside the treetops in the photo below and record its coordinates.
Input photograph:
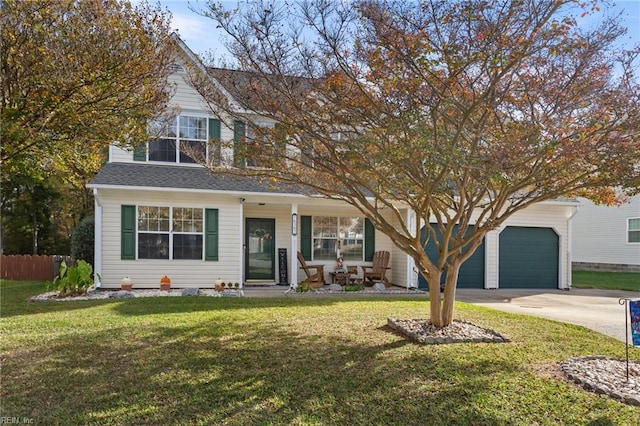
(201, 34)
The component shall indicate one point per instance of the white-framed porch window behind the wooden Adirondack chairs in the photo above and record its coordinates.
(338, 236)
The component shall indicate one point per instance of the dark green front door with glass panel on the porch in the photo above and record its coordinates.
(260, 252)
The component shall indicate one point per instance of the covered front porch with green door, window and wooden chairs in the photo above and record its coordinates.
(277, 230)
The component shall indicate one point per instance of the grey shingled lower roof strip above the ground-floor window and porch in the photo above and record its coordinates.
(182, 177)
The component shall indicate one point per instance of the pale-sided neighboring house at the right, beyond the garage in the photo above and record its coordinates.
(607, 238)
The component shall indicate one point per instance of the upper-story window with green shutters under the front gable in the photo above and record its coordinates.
(184, 139)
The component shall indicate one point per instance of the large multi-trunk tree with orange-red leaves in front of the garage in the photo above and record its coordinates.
(465, 112)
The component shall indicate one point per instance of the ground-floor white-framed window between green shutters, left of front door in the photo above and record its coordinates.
(170, 232)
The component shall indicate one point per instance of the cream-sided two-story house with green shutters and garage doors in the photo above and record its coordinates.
(157, 213)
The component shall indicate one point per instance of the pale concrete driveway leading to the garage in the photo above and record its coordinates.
(597, 310)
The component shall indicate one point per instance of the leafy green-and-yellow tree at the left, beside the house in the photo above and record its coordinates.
(77, 76)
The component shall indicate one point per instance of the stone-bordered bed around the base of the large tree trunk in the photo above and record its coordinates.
(422, 331)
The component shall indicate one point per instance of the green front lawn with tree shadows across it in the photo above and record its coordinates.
(285, 361)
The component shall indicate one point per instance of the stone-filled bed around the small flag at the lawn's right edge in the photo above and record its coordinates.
(605, 376)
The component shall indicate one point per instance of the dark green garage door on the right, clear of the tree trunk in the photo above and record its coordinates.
(528, 258)
